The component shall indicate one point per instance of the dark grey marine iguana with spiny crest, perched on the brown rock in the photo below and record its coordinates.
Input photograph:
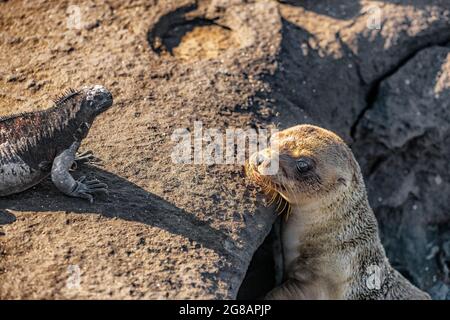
(39, 144)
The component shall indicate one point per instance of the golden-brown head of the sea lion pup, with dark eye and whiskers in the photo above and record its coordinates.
(314, 164)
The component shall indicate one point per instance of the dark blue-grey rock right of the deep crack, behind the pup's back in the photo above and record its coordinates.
(403, 147)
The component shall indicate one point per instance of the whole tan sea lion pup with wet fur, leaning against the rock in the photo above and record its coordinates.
(330, 239)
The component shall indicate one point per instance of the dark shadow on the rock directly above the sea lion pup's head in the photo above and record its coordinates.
(315, 99)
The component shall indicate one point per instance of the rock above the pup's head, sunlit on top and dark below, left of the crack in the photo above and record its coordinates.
(332, 55)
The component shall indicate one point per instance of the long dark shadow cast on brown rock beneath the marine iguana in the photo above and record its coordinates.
(125, 201)
